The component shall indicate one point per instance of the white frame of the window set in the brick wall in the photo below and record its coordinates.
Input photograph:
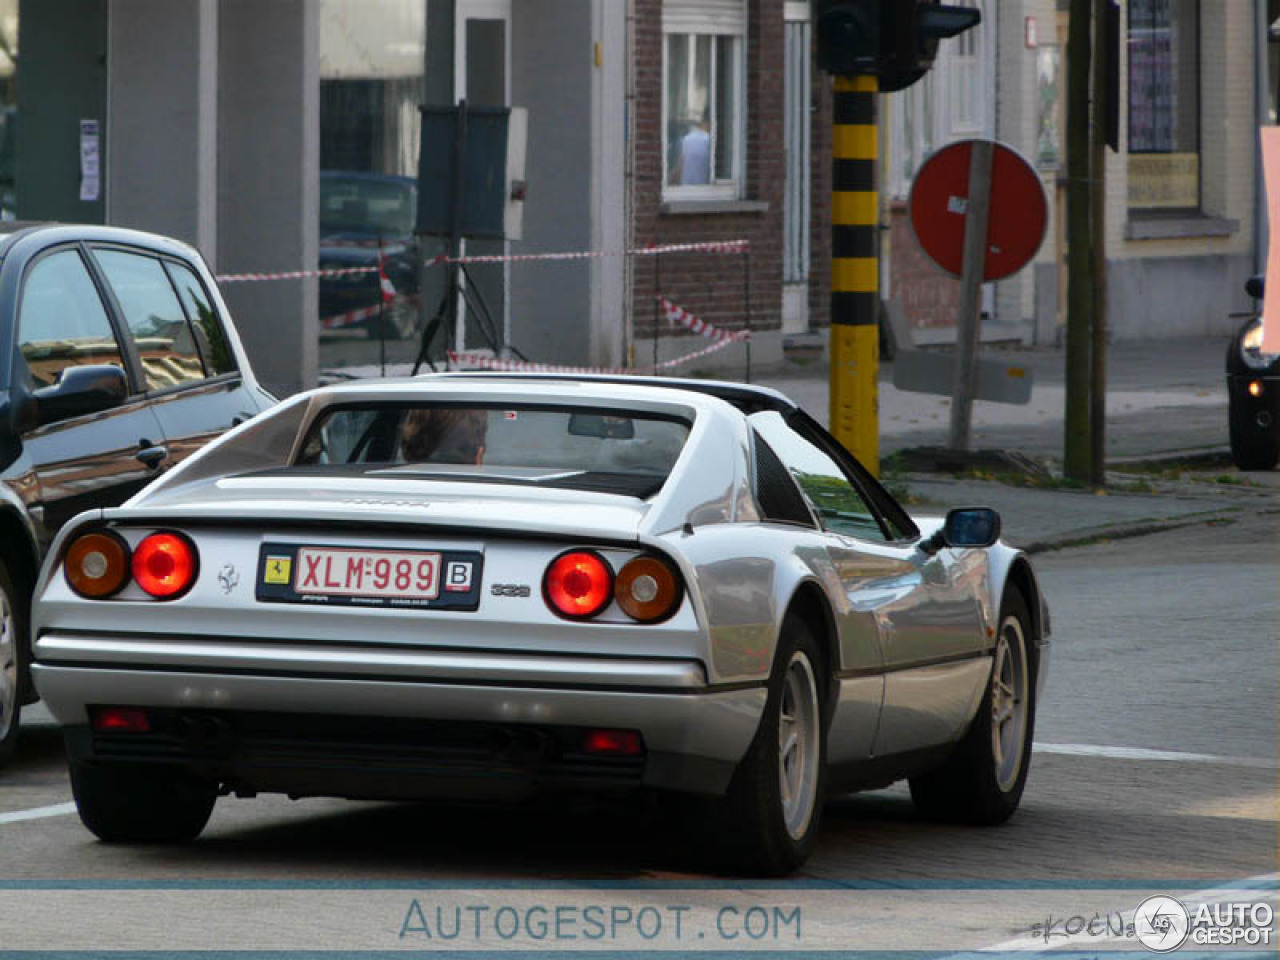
(689, 24)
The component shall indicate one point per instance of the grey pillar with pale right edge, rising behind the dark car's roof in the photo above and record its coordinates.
(163, 120)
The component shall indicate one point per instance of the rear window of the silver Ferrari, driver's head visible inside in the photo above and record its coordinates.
(611, 451)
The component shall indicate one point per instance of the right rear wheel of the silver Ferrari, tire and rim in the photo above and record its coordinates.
(769, 822)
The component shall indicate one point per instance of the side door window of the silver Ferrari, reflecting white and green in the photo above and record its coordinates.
(840, 508)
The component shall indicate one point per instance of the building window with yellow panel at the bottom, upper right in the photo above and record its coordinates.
(1164, 106)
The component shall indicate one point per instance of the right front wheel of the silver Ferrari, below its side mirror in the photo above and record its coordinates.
(982, 781)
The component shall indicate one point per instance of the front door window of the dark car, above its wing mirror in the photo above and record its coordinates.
(62, 322)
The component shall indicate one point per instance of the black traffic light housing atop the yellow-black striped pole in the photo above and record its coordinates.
(895, 40)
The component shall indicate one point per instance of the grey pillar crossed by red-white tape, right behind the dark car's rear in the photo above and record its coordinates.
(269, 181)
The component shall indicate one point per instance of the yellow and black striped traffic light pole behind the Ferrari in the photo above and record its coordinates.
(856, 271)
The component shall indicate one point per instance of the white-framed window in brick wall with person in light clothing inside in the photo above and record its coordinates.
(702, 98)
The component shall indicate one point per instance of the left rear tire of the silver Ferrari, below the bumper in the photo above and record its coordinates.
(140, 804)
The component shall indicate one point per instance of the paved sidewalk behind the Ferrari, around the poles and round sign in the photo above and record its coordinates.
(1165, 403)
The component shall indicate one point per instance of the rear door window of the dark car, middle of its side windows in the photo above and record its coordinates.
(156, 318)
